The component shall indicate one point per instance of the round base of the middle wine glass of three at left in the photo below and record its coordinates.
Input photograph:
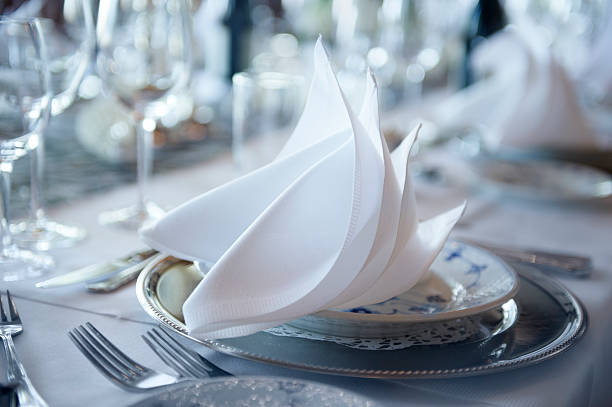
(45, 234)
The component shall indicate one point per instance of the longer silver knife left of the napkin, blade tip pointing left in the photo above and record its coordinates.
(99, 271)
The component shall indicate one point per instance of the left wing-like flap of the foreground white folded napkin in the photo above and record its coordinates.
(231, 208)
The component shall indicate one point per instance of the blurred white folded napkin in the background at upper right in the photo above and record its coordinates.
(527, 101)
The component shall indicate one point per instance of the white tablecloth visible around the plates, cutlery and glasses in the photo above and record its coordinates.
(578, 377)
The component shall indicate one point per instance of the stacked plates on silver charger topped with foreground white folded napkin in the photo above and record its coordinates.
(467, 304)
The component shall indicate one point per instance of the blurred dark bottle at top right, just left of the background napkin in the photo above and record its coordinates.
(488, 18)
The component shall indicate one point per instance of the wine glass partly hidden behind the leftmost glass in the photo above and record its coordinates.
(68, 29)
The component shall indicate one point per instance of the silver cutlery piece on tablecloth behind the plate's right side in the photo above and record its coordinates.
(560, 263)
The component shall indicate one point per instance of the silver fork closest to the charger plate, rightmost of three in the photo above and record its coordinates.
(182, 360)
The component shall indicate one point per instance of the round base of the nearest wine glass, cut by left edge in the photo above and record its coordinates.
(17, 264)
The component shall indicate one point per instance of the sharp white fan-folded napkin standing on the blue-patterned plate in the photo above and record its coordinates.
(331, 222)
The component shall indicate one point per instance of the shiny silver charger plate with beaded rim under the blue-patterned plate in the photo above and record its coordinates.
(551, 319)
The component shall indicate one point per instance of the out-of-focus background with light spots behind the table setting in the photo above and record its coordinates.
(251, 62)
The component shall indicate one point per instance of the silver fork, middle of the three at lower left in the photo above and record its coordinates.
(116, 365)
